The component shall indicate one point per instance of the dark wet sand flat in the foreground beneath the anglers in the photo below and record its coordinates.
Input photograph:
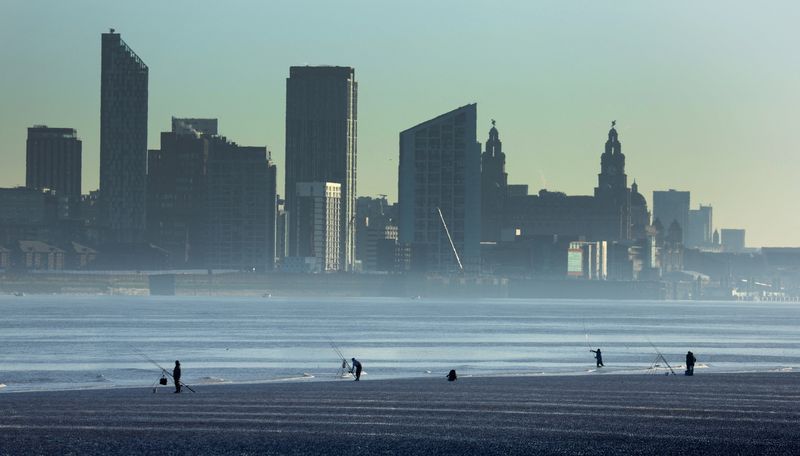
(754, 413)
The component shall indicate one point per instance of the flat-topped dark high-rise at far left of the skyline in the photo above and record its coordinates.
(53, 160)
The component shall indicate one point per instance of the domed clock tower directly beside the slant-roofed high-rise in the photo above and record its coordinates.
(494, 185)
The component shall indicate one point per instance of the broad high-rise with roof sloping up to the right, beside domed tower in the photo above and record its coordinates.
(440, 170)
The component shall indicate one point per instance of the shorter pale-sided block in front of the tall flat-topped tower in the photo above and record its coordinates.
(318, 211)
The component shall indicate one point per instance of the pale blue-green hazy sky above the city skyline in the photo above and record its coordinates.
(706, 94)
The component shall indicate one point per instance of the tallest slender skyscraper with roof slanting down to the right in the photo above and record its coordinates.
(123, 141)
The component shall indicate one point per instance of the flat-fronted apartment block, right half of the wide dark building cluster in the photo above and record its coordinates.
(240, 207)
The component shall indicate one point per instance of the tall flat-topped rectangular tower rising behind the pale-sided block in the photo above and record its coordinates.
(321, 126)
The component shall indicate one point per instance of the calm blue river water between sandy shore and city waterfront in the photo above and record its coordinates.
(54, 342)
